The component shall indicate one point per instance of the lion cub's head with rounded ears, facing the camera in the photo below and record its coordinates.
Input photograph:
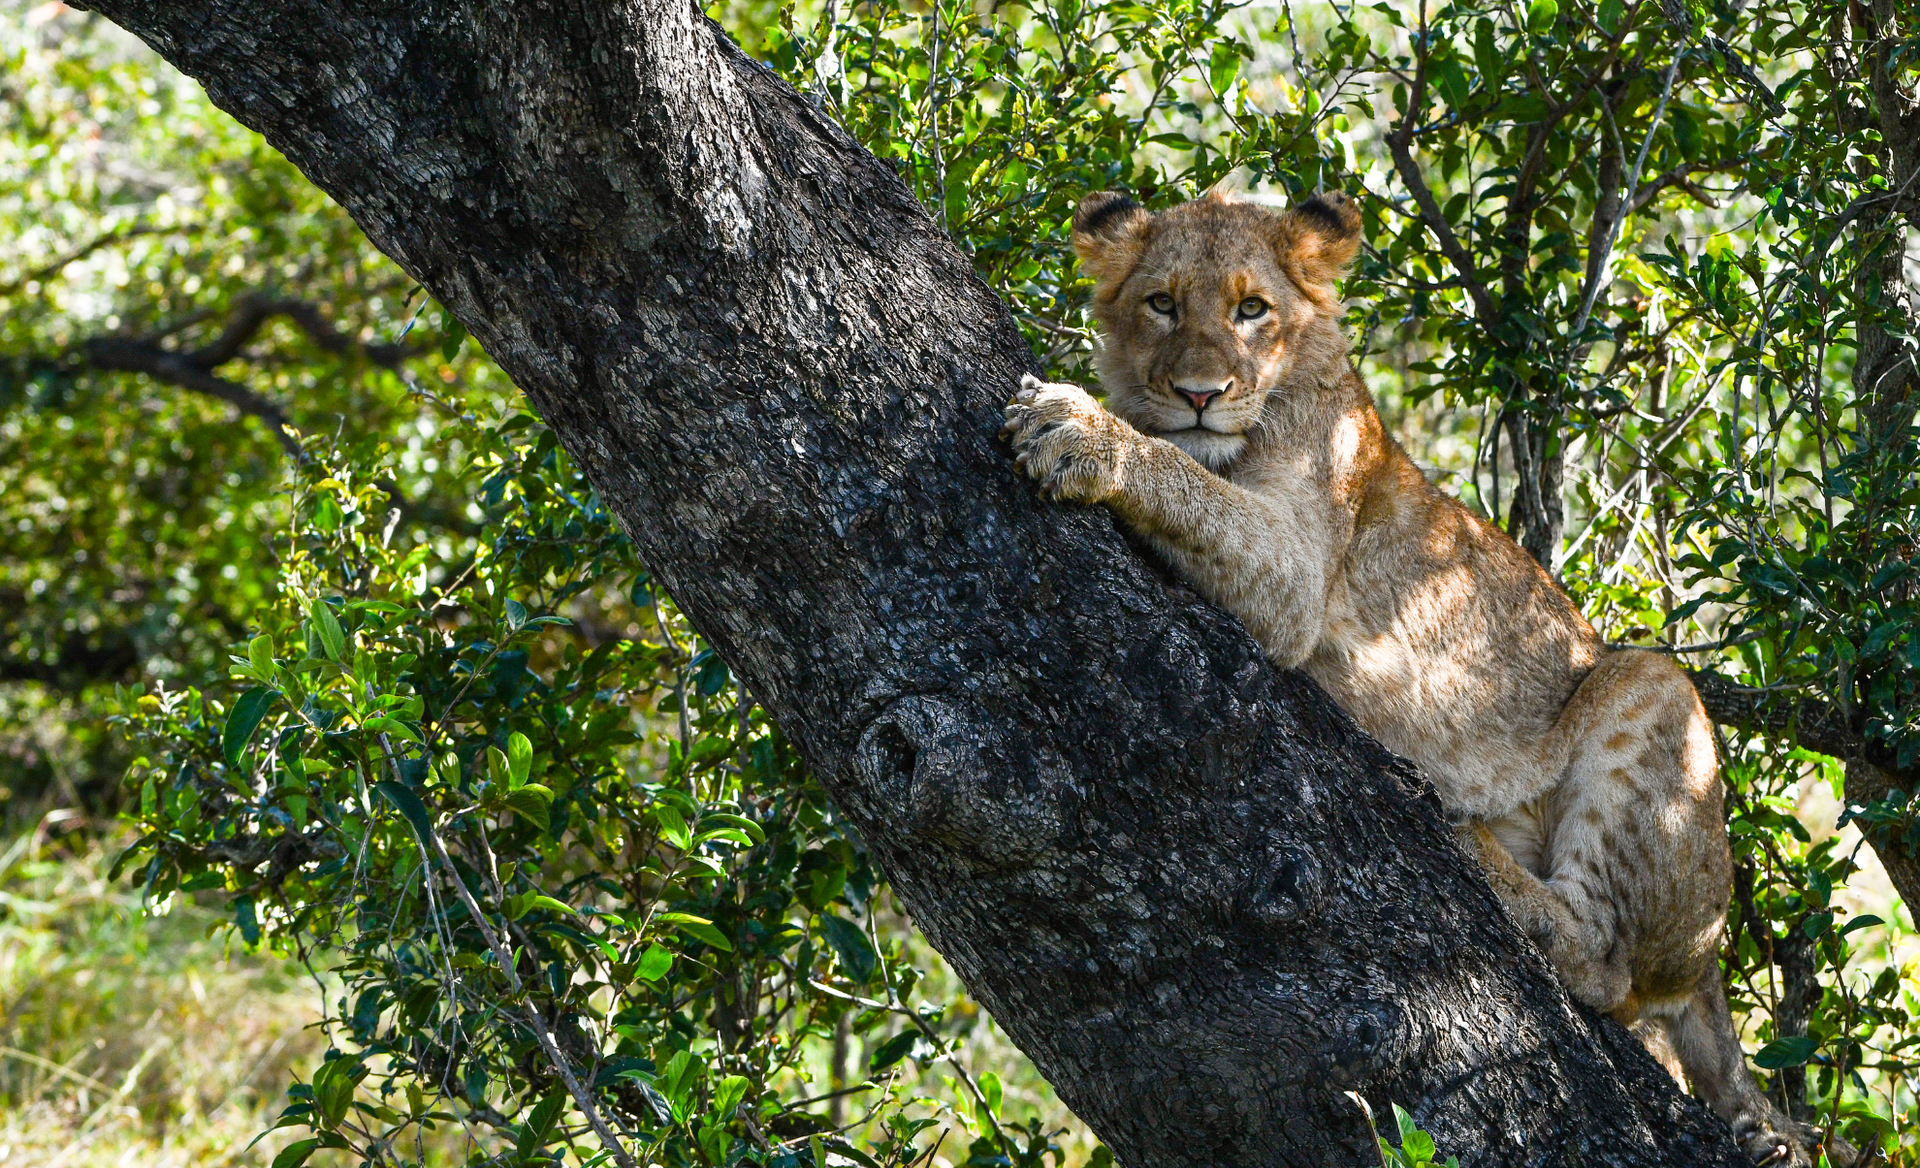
(1212, 304)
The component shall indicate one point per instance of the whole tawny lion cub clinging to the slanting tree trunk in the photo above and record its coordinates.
(1239, 441)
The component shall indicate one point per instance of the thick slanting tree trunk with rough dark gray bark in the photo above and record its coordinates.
(1191, 890)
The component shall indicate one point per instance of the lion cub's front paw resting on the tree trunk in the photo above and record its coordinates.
(1067, 441)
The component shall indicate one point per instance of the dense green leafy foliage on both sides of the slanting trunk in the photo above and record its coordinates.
(410, 702)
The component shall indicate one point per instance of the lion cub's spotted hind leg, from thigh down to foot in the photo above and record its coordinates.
(1635, 879)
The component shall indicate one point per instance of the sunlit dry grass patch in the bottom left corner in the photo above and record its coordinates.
(133, 1040)
